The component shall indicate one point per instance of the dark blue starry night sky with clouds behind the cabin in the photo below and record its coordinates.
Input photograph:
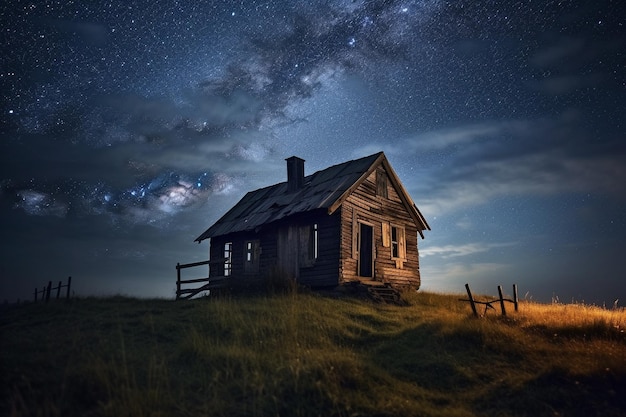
(129, 127)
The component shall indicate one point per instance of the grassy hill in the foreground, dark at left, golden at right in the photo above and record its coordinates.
(309, 355)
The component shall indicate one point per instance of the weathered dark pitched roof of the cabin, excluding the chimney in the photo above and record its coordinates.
(327, 189)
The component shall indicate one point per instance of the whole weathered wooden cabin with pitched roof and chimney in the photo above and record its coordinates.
(349, 222)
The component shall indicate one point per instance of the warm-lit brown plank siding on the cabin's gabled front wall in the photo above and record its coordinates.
(364, 205)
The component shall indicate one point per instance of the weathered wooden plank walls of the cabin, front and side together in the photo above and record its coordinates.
(285, 245)
